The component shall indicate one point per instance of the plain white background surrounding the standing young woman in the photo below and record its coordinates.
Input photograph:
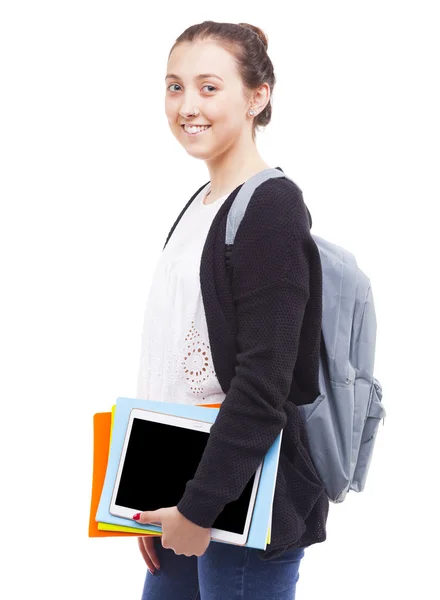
(91, 182)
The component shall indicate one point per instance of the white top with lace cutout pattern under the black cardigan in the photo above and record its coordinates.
(176, 363)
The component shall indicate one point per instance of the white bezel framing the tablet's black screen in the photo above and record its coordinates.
(188, 423)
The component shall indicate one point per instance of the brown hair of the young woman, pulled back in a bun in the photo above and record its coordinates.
(248, 44)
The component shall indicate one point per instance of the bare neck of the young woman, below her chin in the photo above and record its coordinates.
(234, 167)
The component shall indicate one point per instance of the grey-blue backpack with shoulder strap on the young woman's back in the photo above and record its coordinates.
(343, 420)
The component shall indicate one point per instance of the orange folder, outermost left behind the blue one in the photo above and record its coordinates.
(101, 447)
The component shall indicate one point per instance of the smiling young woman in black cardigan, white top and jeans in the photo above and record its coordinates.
(242, 333)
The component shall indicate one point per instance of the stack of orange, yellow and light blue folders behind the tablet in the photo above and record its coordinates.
(110, 446)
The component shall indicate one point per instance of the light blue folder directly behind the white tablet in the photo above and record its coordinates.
(262, 514)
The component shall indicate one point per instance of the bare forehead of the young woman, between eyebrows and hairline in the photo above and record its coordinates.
(188, 59)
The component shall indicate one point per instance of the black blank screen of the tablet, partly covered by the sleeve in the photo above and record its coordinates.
(159, 460)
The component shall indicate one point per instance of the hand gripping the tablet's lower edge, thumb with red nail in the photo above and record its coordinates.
(178, 533)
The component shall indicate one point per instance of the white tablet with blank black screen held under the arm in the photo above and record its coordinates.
(160, 454)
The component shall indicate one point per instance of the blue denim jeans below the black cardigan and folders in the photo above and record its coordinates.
(223, 572)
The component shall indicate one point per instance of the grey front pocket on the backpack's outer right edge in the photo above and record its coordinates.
(375, 413)
